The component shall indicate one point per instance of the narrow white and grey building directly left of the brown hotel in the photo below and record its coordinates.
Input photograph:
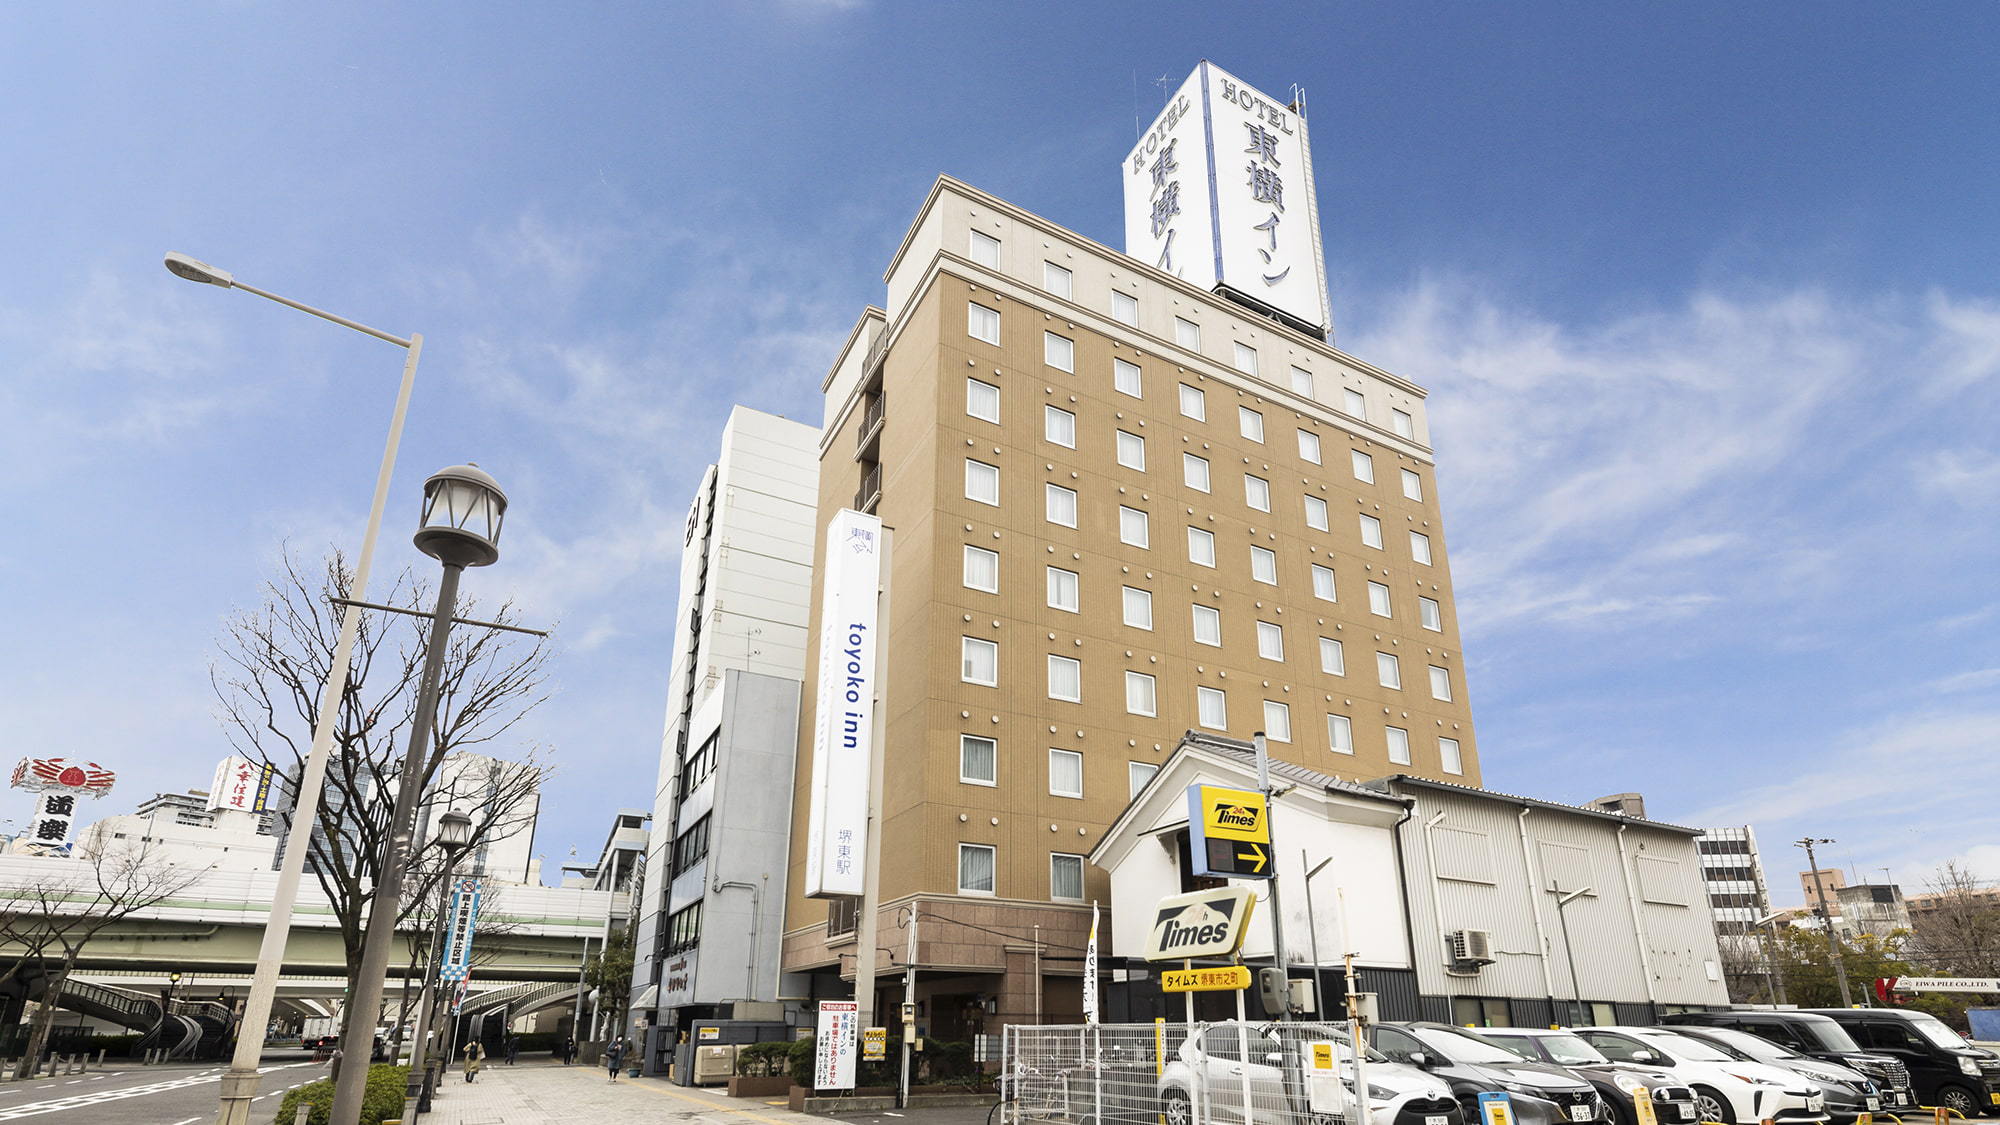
(713, 902)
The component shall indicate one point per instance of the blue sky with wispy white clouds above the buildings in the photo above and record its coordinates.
(1705, 297)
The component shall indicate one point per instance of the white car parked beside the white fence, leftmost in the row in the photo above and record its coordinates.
(1219, 1060)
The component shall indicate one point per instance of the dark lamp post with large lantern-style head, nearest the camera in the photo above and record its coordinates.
(461, 527)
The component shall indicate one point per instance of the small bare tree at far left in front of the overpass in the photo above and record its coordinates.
(51, 910)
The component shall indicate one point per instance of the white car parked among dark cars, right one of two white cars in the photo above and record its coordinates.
(1733, 1092)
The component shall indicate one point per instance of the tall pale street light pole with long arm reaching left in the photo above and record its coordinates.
(239, 1086)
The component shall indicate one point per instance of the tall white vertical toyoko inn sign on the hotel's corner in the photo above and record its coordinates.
(843, 714)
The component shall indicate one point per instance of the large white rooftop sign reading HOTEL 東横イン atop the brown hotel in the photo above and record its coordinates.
(1219, 191)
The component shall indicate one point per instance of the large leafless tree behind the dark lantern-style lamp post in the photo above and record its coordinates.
(269, 676)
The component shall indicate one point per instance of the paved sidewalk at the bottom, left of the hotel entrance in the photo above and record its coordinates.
(537, 1094)
